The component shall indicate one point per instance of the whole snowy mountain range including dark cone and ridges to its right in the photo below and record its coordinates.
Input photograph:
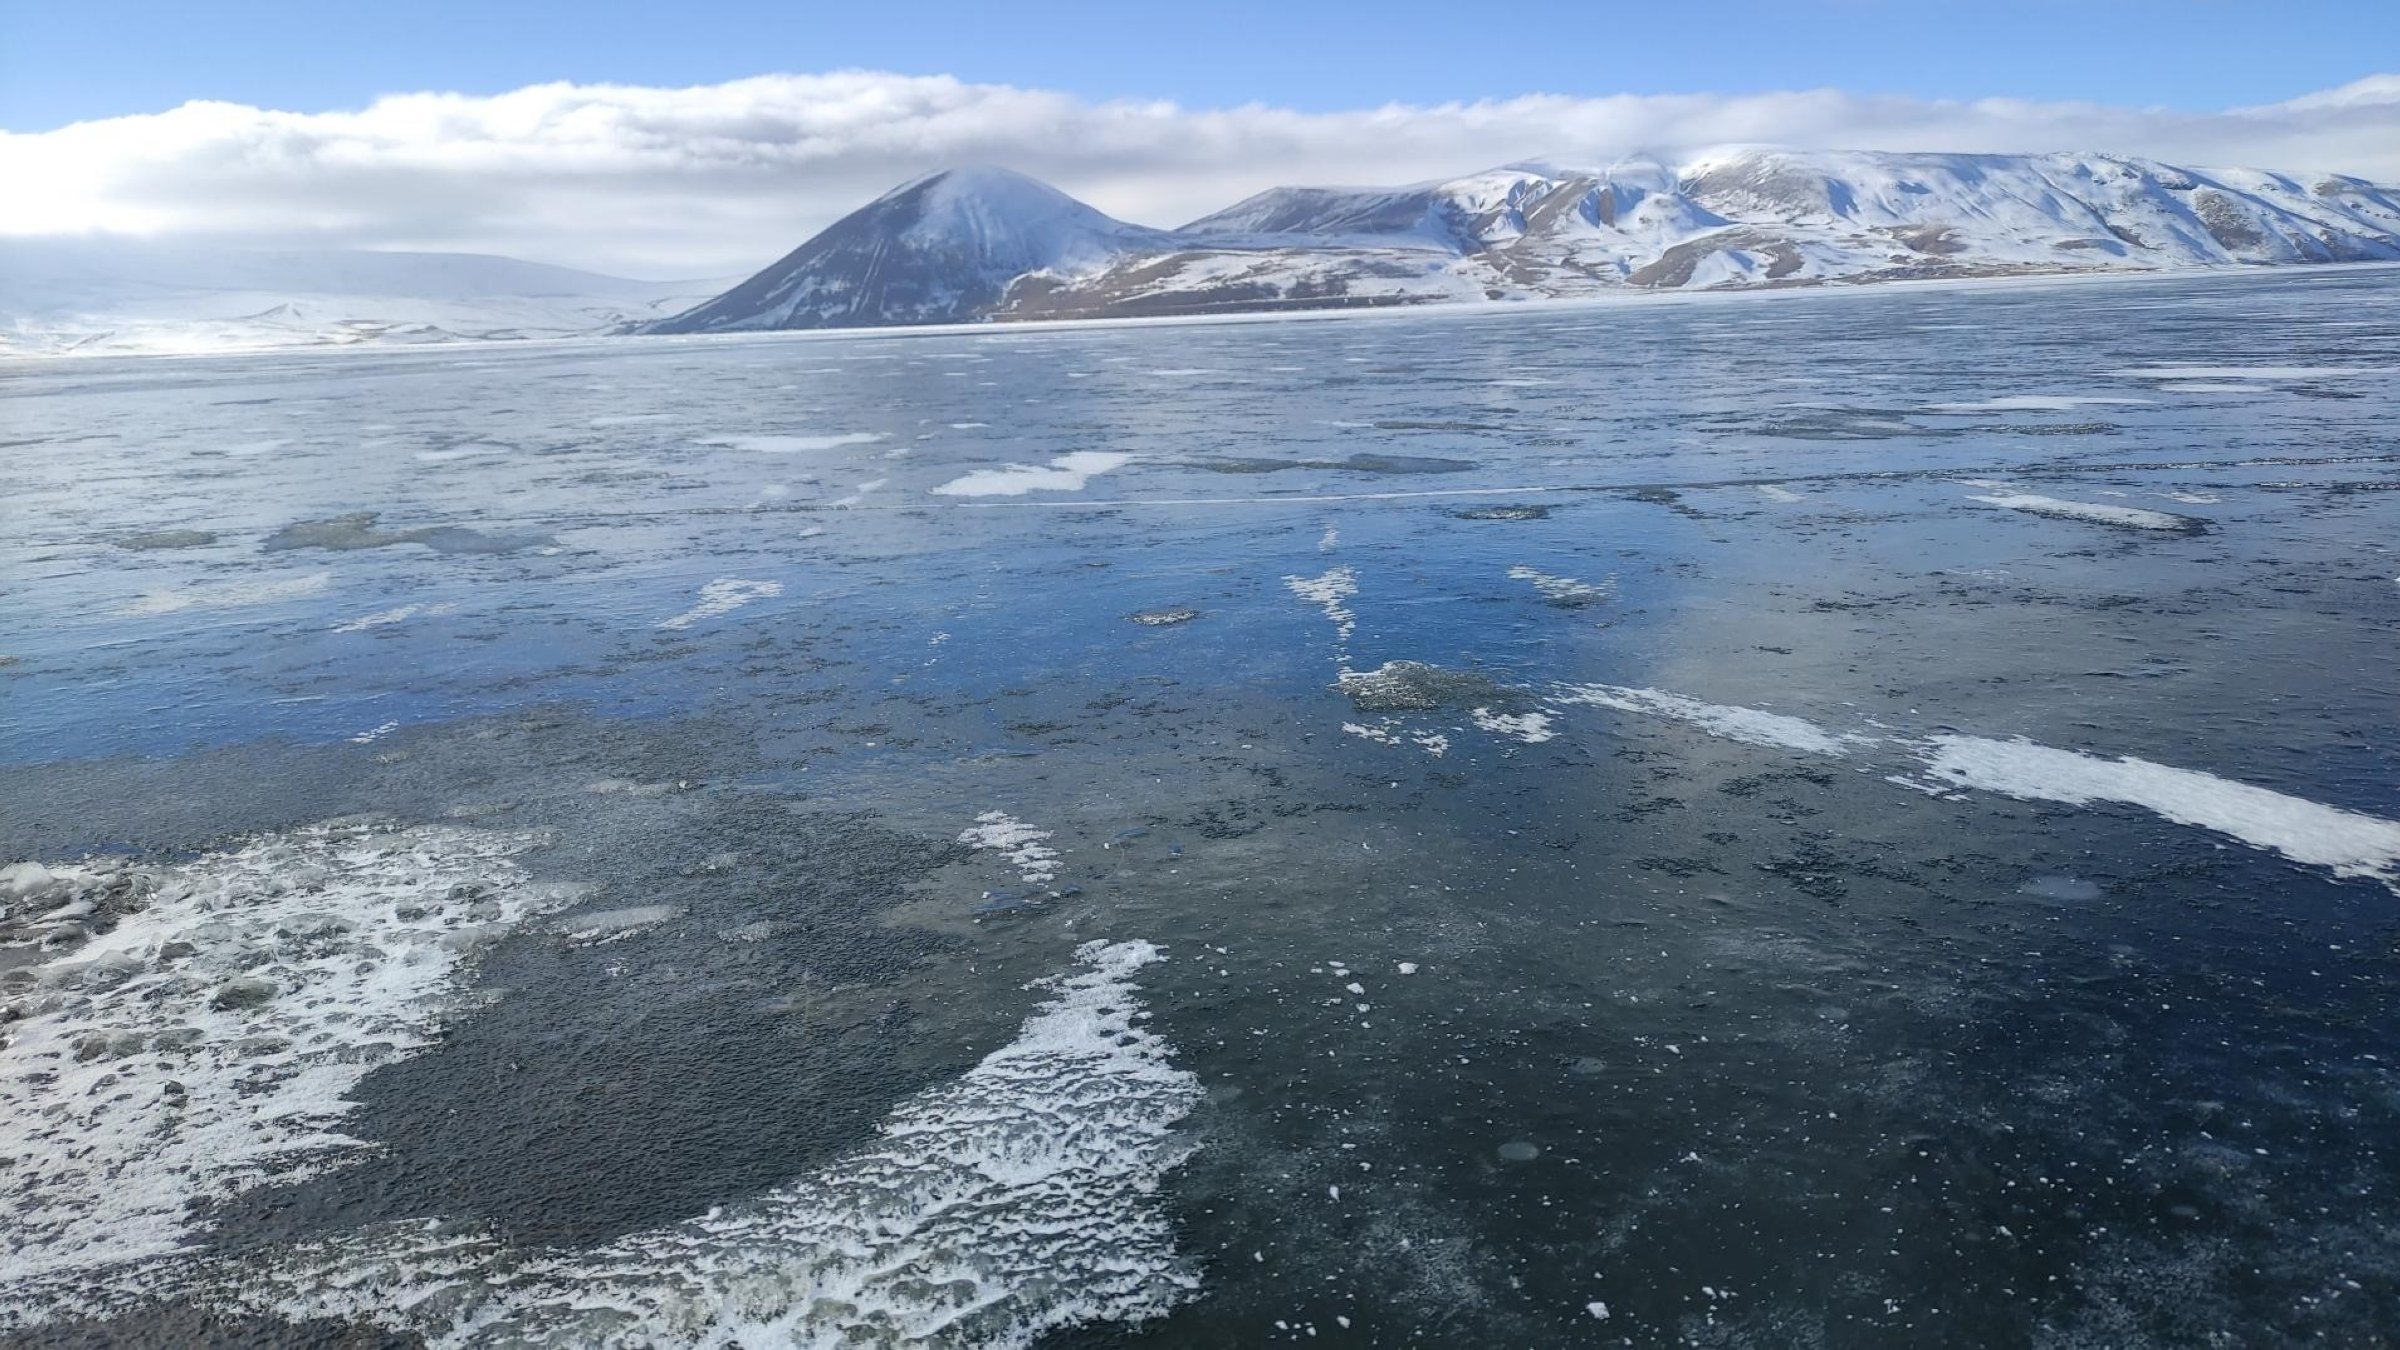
(1000, 246)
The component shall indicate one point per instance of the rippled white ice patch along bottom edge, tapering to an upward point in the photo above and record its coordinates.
(1012, 1202)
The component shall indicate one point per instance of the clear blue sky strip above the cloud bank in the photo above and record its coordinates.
(92, 59)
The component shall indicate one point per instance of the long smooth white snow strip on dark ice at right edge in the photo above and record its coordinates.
(2305, 832)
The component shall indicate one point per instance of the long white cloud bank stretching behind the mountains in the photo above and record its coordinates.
(728, 177)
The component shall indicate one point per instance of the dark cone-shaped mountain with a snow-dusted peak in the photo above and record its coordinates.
(935, 251)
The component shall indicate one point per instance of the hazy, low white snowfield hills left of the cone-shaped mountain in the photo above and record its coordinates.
(136, 297)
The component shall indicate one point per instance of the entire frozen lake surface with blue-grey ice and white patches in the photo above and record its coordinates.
(1777, 820)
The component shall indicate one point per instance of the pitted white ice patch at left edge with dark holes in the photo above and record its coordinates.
(210, 1041)
